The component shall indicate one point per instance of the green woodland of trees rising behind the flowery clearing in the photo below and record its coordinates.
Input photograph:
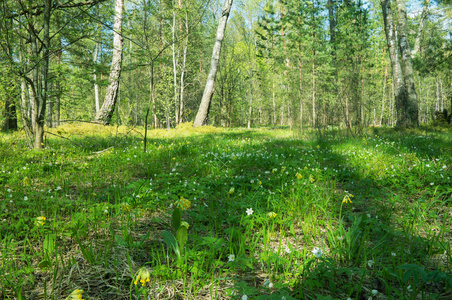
(283, 63)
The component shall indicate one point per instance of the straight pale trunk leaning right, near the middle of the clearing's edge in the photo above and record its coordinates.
(203, 111)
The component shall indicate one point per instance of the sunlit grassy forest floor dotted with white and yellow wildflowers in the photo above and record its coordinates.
(213, 213)
